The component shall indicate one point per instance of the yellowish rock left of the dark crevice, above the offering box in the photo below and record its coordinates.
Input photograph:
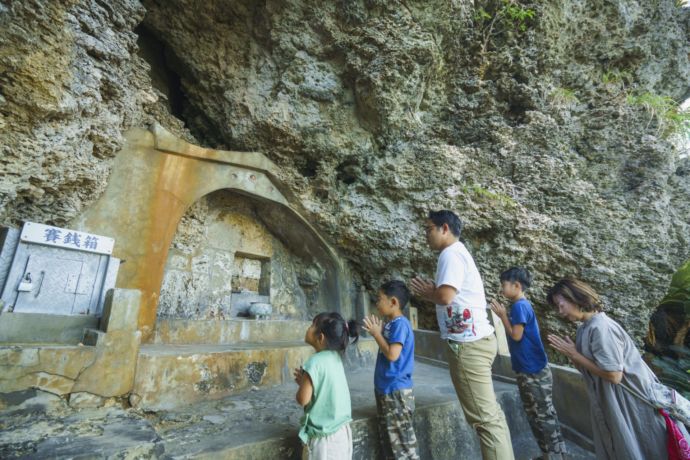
(72, 82)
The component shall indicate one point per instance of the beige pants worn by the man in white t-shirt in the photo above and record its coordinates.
(470, 369)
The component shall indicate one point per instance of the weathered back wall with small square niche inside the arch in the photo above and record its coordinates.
(221, 241)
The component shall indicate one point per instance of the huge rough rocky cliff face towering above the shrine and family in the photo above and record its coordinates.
(377, 112)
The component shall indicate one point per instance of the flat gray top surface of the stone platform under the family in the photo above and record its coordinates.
(31, 431)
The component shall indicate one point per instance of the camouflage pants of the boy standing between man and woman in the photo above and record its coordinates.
(536, 394)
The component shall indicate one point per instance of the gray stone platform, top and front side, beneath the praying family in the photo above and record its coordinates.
(258, 424)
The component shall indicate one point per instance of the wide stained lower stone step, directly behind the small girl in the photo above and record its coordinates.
(169, 374)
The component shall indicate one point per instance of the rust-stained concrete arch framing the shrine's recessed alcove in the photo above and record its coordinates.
(155, 180)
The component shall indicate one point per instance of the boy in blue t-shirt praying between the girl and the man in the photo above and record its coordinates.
(393, 374)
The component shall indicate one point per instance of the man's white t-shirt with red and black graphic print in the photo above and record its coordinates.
(466, 318)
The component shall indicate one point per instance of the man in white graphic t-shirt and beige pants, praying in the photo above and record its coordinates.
(458, 293)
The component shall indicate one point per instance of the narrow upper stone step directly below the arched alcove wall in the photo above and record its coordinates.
(183, 331)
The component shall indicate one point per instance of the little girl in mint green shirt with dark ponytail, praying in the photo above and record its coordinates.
(323, 391)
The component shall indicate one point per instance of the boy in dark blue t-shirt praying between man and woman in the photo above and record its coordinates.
(529, 362)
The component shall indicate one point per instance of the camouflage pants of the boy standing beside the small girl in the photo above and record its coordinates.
(396, 431)
